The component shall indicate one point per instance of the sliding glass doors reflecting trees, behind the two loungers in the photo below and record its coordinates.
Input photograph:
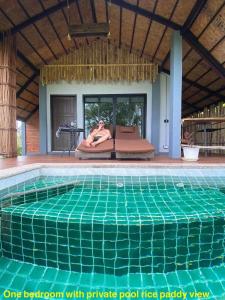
(125, 110)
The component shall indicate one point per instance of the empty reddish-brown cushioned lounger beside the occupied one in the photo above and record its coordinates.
(129, 144)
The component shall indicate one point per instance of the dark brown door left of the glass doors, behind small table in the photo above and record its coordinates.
(63, 111)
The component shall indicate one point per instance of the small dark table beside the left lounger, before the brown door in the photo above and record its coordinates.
(74, 135)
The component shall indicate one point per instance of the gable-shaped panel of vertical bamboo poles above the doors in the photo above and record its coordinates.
(101, 61)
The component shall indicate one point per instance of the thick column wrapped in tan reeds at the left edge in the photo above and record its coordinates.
(8, 134)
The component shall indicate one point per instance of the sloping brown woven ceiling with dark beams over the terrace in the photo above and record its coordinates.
(145, 26)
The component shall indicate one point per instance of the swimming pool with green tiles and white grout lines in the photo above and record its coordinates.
(147, 229)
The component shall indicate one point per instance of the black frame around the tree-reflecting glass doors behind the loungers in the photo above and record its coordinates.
(114, 104)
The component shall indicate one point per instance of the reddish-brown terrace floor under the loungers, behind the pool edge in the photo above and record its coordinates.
(66, 159)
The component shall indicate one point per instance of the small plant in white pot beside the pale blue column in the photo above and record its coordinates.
(190, 151)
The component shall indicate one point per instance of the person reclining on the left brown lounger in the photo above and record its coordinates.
(98, 135)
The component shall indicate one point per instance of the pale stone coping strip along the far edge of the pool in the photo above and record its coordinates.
(5, 173)
